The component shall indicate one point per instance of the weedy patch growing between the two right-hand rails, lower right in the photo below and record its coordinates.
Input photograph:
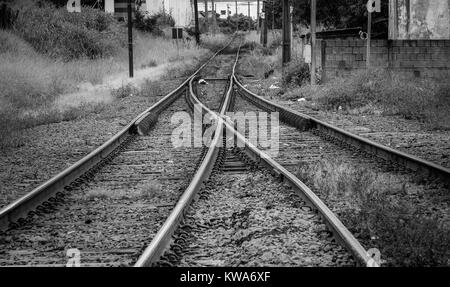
(373, 207)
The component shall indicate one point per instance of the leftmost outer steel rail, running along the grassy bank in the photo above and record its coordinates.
(20, 208)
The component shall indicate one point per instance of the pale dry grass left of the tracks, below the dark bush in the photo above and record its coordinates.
(32, 85)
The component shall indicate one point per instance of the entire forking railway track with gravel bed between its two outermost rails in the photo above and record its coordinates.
(230, 204)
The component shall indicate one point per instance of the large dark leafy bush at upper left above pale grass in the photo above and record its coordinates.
(57, 33)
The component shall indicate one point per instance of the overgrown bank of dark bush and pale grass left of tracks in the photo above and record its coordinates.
(51, 53)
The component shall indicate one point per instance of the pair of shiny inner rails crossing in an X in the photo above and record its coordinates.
(163, 237)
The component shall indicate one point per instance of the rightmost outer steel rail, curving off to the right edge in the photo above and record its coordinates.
(305, 122)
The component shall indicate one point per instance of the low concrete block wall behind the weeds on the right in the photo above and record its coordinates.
(419, 58)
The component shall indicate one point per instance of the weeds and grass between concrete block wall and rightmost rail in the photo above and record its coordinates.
(381, 91)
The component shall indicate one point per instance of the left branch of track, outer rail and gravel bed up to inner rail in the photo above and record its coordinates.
(109, 204)
